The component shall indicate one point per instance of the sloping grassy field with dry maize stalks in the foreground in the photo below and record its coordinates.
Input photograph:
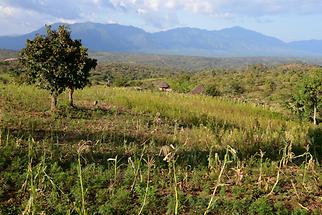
(123, 151)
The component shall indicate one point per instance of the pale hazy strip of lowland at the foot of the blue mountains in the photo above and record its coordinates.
(195, 63)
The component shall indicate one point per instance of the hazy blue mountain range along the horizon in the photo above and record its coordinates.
(228, 42)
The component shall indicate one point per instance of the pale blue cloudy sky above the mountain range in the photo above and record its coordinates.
(288, 20)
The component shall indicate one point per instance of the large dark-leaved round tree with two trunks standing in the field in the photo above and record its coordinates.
(55, 62)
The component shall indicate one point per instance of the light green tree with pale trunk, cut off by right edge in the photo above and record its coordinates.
(307, 98)
